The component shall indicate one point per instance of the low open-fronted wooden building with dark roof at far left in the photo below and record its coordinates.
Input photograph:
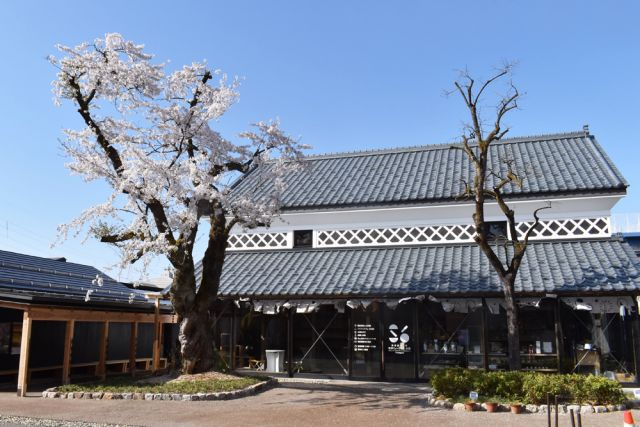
(61, 321)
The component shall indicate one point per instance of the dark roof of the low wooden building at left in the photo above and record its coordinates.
(31, 278)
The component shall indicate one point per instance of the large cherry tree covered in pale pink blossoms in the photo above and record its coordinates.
(148, 133)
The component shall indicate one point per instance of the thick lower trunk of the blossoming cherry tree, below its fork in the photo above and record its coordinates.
(196, 341)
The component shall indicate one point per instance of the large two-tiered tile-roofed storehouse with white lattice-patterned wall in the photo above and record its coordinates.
(371, 272)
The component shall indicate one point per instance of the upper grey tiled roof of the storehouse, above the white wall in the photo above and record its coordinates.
(561, 163)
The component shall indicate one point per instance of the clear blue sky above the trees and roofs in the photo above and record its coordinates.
(341, 75)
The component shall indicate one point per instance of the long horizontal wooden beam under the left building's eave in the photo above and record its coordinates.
(62, 314)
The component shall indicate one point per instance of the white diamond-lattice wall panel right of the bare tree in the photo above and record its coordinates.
(567, 228)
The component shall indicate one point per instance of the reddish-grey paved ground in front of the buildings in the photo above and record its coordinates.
(290, 404)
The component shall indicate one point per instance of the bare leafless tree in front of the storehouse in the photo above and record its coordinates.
(488, 184)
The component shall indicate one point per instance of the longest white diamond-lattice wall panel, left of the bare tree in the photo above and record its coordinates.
(395, 236)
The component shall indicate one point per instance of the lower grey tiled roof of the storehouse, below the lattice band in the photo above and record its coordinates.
(558, 266)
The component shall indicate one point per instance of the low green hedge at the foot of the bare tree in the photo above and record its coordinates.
(526, 387)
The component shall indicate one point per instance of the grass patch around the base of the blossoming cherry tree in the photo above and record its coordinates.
(140, 385)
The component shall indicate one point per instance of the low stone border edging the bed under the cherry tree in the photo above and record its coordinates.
(52, 393)
